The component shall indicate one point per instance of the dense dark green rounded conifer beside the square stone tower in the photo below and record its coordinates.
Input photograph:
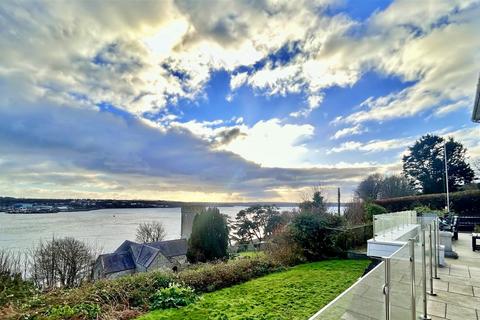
(209, 238)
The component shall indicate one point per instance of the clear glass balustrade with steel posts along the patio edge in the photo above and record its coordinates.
(397, 288)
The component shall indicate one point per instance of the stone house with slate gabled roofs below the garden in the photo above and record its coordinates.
(132, 257)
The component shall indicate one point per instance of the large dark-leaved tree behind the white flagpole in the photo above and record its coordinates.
(424, 165)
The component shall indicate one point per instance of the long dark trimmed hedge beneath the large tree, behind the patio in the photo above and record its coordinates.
(462, 203)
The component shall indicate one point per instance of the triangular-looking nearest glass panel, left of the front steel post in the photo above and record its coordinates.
(364, 300)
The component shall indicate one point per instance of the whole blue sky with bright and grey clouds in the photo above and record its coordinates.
(227, 100)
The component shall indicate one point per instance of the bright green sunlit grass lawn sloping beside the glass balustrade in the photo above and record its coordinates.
(293, 294)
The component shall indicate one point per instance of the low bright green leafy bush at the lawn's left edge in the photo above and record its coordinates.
(174, 296)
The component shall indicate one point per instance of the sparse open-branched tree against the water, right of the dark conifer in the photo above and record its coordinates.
(256, 222)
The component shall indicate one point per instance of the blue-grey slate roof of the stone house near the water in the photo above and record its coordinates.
(130, 254)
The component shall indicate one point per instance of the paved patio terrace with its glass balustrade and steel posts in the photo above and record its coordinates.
(410, 283)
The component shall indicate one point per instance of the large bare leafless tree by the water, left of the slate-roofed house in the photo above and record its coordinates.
(63, 262)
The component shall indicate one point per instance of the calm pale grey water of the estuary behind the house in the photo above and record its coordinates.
(106, 229)
